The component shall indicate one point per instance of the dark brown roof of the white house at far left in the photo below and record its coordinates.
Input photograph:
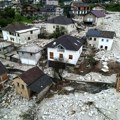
(16, 27)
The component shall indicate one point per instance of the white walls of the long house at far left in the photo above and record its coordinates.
(23, 36)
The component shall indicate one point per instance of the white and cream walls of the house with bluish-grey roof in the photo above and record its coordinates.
(98, 43)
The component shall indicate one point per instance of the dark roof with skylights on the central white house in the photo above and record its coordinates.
(68, 42)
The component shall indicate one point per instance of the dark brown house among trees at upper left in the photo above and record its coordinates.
(30, 10)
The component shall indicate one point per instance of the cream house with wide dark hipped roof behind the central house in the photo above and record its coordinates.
(60, 21)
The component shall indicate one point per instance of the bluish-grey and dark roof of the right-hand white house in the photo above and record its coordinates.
(98, 33)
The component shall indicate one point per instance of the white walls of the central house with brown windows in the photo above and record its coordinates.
(66, 53)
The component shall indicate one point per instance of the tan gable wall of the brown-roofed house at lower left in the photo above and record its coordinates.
(26, 93)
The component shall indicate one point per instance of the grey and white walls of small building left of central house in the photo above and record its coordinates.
(27, 58)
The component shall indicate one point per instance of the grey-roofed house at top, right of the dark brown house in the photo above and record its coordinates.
(51, 10)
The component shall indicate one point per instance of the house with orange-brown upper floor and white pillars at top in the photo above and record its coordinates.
(79, 8)
